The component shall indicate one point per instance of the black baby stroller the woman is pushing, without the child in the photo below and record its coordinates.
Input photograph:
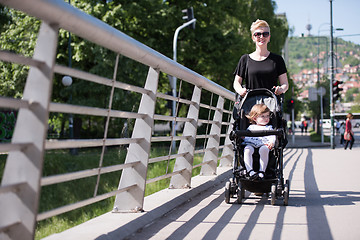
(273, 182)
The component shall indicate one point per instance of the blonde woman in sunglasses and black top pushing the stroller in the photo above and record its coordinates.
(262, 68)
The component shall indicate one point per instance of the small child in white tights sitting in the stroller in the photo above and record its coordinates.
(259, 118)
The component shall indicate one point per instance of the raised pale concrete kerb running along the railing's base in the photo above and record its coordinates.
(120, 225)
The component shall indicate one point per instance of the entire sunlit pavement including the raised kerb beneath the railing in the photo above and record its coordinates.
(323, 205)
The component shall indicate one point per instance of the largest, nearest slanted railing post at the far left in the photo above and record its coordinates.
(24, 168)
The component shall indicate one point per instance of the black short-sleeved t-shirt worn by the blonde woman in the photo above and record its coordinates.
(261, 74)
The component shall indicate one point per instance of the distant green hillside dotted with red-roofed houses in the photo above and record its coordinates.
(304, 62)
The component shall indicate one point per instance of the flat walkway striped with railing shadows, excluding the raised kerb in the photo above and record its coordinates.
(324, 204)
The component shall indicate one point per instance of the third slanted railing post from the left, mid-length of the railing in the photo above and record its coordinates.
(183, 180)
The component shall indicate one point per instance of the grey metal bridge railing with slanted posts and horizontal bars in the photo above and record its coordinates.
(22, 179)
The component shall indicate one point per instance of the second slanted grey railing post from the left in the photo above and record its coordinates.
(133, 199)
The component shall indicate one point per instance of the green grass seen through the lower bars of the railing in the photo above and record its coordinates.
(60, 161)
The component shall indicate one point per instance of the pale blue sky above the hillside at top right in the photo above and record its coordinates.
(317, 13)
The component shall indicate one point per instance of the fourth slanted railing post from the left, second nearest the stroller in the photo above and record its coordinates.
(214, 141)
